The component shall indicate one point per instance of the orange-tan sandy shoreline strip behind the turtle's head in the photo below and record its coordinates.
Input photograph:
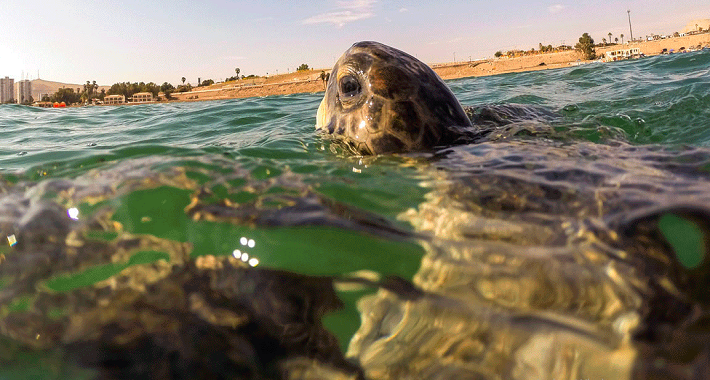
(310, 82)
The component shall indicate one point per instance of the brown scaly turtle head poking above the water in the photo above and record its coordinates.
(381, 100)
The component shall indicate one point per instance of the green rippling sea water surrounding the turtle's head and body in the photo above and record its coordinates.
(143, 165)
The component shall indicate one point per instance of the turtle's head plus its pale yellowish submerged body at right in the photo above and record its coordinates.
(545, 258)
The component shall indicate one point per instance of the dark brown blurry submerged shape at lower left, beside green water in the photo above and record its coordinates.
(100, 300)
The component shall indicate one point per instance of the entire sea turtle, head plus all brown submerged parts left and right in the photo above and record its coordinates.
(543, 259)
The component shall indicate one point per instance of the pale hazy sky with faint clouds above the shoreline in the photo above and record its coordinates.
(112, 41)
